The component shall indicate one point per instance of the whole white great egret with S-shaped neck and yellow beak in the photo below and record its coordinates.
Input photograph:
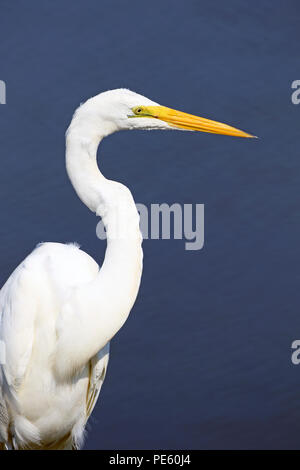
(58, 310)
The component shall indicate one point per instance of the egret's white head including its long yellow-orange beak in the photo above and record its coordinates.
(122, 109)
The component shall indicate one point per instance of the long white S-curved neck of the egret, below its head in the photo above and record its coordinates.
(105, 302)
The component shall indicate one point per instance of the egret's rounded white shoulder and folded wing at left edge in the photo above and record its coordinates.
(33, 297)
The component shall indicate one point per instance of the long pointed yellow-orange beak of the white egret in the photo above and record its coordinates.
(180, 120)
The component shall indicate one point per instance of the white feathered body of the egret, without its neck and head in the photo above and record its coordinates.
(38, 408)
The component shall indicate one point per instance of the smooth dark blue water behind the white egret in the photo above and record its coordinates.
(204, 359)
